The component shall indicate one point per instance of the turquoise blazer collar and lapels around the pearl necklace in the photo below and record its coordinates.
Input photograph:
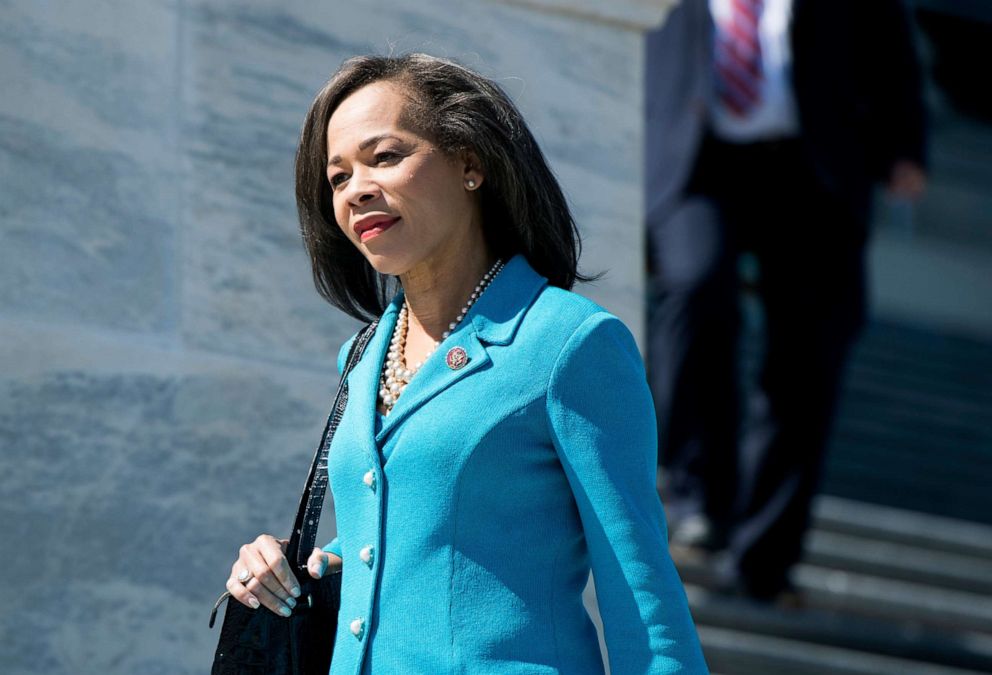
(494, 320)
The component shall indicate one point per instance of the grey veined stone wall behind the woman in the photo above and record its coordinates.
(165, 363)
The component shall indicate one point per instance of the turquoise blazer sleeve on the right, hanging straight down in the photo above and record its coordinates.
(603, 427)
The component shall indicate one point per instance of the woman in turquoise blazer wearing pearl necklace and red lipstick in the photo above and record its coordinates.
(499, 438)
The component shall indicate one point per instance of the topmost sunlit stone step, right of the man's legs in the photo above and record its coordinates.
(950, 535)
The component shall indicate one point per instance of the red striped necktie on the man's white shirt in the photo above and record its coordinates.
(738, 57)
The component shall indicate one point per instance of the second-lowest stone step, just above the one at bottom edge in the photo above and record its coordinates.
(904, 639)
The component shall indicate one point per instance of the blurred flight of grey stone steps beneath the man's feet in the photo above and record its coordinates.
(886, 590)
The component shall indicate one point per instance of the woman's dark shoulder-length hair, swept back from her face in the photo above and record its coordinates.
(523, 208)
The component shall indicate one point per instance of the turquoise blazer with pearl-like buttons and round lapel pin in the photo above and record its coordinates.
(469, 522)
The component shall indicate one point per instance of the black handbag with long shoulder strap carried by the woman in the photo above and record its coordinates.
(260, 642)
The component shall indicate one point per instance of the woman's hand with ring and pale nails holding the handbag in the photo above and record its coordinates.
(261, 576)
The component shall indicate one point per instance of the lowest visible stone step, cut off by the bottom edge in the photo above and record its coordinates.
(735, 652)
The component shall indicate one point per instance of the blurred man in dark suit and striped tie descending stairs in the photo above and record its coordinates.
(768, 122)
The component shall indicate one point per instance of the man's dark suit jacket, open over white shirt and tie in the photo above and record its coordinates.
(856, 80)
